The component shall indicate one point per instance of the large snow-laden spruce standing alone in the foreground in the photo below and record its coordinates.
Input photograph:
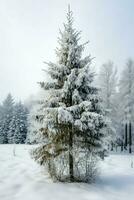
(72, 119)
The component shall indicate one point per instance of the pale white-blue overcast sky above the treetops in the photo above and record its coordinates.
(29, 31)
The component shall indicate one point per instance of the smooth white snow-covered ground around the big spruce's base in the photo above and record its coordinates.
(22, 179)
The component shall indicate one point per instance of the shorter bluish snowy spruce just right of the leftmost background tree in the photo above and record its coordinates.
(18, 125)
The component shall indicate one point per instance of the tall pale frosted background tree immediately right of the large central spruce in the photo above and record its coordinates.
(107, 81)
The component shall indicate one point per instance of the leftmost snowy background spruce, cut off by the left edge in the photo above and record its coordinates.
(6, 117)
